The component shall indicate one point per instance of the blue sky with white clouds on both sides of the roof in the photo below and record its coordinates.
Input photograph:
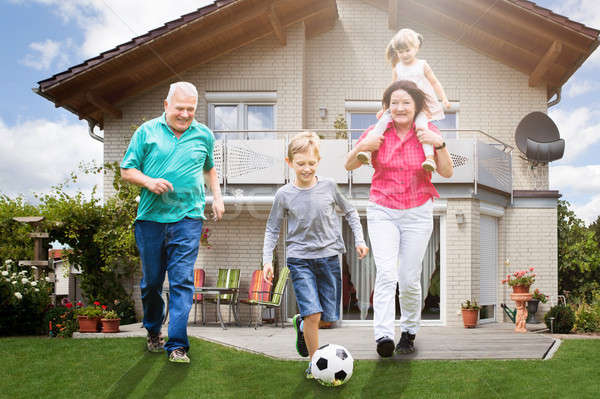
(42, 144)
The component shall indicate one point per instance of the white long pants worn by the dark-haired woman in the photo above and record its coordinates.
(399, 239)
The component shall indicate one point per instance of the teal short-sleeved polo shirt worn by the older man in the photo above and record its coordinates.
(156, 152)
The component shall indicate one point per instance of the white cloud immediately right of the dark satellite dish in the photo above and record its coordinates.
(579, 128)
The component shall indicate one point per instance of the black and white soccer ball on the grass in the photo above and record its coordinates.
(332, 365)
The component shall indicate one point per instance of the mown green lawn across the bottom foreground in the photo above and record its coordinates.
(119, 368)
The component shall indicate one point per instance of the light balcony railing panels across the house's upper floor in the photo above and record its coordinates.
(258, 158)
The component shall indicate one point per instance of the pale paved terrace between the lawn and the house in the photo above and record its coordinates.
(489, 341)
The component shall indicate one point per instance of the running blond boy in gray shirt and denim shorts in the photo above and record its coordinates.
(313, 242)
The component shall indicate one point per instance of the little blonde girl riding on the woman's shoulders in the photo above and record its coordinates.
(401, 52)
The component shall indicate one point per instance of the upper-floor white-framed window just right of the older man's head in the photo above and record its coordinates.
(242, 111)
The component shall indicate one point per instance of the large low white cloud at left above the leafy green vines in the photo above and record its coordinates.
(38, 154)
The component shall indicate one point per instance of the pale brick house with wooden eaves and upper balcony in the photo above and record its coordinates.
(267, 69)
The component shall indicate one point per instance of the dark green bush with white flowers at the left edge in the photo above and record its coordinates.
(23, 302)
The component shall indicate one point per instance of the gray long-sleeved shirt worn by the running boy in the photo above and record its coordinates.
(313, 227)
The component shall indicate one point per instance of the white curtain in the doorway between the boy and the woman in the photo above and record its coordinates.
(362, 272)
